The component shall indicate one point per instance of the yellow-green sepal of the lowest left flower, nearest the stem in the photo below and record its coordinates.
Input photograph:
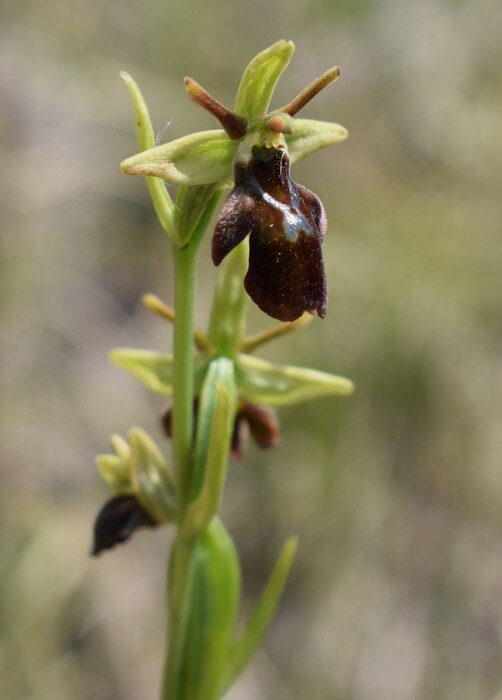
(153, 485)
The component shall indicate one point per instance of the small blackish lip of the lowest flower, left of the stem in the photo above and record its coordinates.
(117, 521)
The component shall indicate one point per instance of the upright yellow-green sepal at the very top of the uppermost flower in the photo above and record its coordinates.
(259, 80)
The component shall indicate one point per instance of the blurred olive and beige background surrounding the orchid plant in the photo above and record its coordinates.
(396, 493)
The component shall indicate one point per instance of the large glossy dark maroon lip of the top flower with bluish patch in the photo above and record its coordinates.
(286, 224)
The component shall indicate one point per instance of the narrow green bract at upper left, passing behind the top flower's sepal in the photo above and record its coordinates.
(162, 202)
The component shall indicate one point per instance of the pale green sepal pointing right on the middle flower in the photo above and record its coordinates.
(262, 382)
